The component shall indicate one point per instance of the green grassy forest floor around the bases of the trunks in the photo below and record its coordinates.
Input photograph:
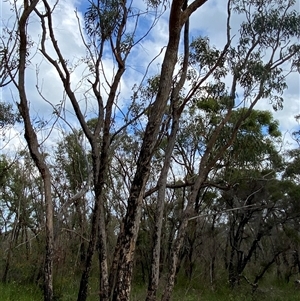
(287, 292)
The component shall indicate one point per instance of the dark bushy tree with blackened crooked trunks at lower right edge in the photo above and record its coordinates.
(262, 232)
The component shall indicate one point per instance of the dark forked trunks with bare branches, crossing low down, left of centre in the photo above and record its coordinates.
(100, 156)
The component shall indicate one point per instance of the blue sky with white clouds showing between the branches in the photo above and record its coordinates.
(209, 20)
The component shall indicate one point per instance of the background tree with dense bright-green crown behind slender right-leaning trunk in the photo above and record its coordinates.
(235, 172)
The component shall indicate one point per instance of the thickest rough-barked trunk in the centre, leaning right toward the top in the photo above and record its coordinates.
(133, 214)
